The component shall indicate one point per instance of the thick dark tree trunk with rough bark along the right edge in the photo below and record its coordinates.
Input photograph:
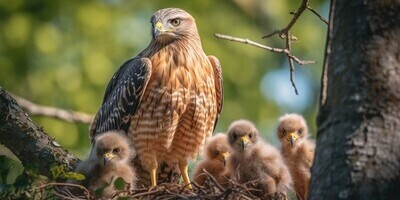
(358, 139)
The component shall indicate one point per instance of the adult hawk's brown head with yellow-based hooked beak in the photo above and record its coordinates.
(171, 24)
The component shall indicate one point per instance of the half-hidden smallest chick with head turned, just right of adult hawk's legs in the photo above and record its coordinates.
(216, 154)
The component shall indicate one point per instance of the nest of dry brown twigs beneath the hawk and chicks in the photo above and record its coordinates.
(210, 190)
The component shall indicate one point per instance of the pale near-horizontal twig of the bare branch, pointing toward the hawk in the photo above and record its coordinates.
(272, 49)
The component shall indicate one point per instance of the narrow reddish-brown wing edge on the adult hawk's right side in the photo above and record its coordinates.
(219, 90)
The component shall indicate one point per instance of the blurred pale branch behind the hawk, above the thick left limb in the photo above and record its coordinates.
(66, 115)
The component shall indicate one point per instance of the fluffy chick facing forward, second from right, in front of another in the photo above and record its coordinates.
(255, 160)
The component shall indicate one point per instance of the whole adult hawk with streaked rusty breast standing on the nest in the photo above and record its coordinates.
(167, 99)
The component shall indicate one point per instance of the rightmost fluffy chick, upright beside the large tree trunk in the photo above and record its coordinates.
(297, 150)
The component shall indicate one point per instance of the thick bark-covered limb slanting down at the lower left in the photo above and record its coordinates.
(28, 141)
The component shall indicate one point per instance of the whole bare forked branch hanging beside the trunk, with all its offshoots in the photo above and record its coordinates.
(284, 34)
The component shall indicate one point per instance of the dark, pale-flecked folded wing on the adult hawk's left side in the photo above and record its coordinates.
(122, 97)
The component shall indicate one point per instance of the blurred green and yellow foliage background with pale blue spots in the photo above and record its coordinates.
(63, 54)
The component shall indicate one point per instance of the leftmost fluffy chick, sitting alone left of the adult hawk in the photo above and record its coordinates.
(109, 159)
